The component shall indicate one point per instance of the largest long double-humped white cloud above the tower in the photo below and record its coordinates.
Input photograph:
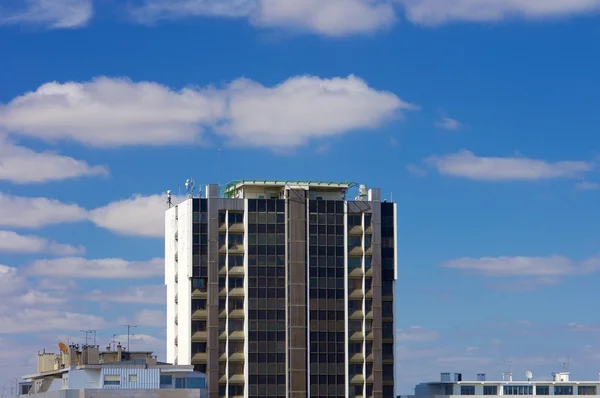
(109, 112)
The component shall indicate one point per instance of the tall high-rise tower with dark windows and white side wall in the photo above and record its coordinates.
(283, 289)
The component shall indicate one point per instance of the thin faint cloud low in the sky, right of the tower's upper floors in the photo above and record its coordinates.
(525, 266)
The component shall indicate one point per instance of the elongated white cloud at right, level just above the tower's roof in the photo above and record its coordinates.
(467, 165)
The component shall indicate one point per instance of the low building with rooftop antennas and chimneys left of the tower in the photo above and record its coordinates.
(86, 372)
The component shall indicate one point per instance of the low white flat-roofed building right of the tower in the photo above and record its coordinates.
(558, 384)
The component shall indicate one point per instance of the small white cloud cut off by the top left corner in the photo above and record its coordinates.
(51, 13)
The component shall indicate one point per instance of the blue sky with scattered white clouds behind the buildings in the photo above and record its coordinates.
(479, 117)
